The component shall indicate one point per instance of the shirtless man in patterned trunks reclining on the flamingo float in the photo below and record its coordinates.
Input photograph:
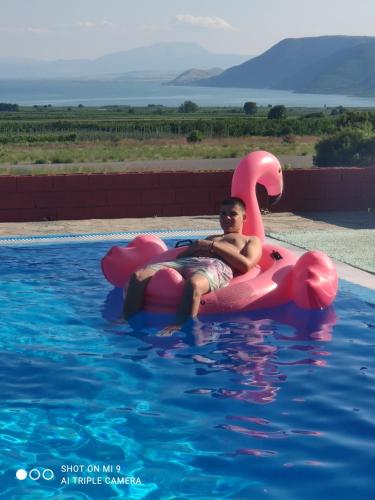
(206, 265)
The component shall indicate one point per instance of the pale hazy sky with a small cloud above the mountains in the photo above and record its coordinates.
(72, 29)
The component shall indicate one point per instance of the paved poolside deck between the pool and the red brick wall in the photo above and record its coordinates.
(307, 230)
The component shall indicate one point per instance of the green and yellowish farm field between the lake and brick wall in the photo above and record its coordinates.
(43, 135)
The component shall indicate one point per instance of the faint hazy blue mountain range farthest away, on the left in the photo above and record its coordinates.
(161, 58)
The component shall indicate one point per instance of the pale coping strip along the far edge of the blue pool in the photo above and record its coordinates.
(344, 271)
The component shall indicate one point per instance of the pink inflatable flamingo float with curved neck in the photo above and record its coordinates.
(280, 276)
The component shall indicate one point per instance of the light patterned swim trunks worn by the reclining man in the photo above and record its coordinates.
(217, 272)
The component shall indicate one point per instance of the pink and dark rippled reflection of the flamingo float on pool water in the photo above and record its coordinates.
(250, 345)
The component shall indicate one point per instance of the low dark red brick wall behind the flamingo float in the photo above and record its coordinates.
(85, 196)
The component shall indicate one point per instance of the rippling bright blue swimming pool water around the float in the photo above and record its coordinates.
(268, 405)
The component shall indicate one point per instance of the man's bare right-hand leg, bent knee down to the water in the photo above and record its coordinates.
(195, 286)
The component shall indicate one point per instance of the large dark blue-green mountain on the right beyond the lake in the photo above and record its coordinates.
(327, 64)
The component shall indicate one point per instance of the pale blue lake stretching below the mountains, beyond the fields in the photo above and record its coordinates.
(101, 93)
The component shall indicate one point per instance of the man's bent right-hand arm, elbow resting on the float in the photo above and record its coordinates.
(240, 261)
